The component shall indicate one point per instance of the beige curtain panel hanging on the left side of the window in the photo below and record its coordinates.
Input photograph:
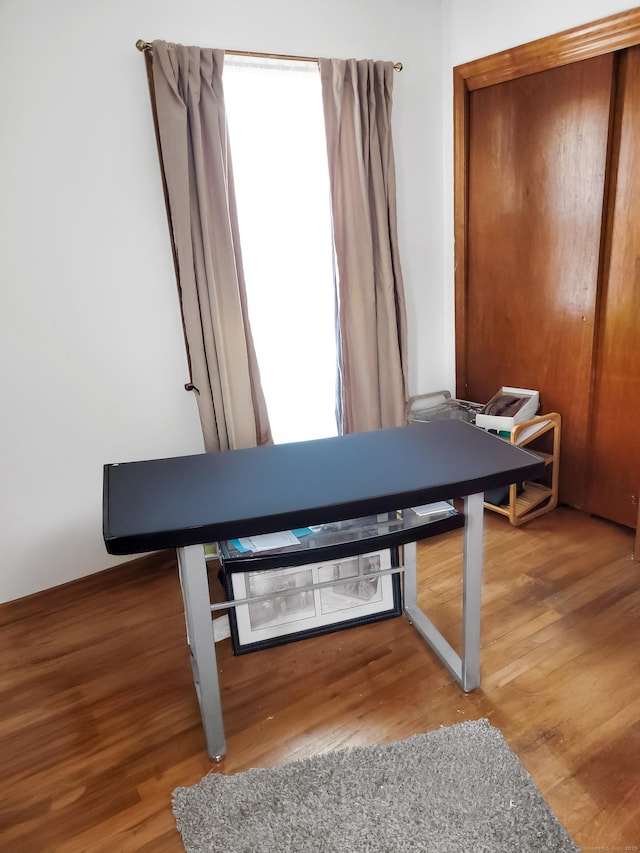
(196, 162)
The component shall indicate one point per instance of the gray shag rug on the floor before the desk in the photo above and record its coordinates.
(453, 789)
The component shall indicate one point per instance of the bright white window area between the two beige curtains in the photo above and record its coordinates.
(278, 146)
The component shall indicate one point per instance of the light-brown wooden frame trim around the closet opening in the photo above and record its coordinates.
(605, 35)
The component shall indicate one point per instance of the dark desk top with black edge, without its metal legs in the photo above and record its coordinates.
(187, 500)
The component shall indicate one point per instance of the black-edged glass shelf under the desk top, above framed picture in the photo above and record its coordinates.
(340, 539)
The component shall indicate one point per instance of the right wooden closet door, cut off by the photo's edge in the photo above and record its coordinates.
(614, 458)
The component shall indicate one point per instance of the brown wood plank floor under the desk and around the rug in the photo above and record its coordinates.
(99, 720)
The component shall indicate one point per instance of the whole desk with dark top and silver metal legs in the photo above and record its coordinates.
(188, 501)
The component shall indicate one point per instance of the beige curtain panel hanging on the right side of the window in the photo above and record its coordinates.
(357, 97)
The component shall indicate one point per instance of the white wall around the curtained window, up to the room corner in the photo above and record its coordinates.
(92, 365)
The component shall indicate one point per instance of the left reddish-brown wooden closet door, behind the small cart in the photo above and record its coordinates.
(537, 164)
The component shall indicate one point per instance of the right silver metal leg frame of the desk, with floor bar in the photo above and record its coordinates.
(465, 668)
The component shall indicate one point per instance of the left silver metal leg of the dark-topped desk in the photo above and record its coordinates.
(197, 608)
